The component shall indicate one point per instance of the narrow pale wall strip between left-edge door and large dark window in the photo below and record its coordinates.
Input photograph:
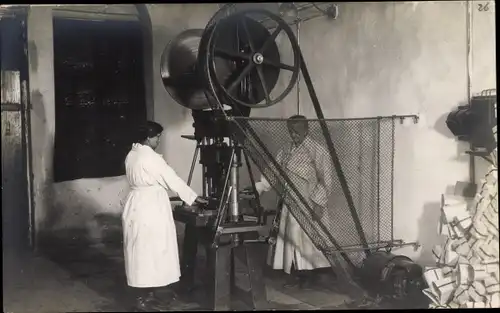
(41, 55)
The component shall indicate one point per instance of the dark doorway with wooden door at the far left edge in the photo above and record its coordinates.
(16, 218)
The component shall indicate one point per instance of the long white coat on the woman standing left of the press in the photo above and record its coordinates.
(149, 235)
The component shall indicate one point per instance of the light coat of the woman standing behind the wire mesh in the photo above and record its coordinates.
(308, 167)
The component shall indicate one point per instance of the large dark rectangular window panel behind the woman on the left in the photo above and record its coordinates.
(99, 96)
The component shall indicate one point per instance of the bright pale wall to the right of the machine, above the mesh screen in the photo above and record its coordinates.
(402, 58)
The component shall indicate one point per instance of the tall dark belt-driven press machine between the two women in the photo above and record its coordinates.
(221, 73)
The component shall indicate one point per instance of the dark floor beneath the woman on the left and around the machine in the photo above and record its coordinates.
(73, 276)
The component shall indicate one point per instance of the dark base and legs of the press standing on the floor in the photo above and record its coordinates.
(221, 288)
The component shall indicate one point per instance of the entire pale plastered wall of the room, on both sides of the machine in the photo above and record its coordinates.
(375, 59)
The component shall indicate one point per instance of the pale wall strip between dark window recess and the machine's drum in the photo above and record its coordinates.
(168, 21)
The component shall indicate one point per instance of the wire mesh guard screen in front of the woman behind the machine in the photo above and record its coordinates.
(302, 173)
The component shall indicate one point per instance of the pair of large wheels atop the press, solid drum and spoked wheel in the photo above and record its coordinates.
(234, 61)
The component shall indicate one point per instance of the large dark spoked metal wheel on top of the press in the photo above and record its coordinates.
(256, 63)
